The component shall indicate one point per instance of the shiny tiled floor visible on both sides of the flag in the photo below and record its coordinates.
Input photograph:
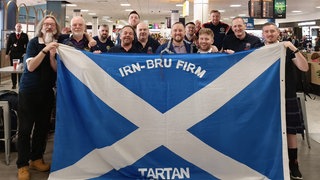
(309, 158)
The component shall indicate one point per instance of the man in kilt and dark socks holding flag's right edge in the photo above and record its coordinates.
(294, 60)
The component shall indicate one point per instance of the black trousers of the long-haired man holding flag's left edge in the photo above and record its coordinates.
(34, 112)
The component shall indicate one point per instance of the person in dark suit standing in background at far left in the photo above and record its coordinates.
(16, 48)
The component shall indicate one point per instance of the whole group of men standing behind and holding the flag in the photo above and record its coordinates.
(36, 96)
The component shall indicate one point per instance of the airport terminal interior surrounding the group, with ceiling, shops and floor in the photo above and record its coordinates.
(297, 18)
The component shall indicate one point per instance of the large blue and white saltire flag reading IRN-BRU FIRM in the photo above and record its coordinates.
(187, 116)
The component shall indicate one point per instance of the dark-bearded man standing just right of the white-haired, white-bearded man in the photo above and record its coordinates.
(103, 41)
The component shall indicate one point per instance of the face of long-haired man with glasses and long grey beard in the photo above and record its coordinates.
(48, 30)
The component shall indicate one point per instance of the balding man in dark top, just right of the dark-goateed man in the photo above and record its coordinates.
(145, 43)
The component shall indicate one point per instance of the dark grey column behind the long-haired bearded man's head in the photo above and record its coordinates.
(58, 8)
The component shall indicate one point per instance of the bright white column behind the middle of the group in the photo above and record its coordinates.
(201, 9)
